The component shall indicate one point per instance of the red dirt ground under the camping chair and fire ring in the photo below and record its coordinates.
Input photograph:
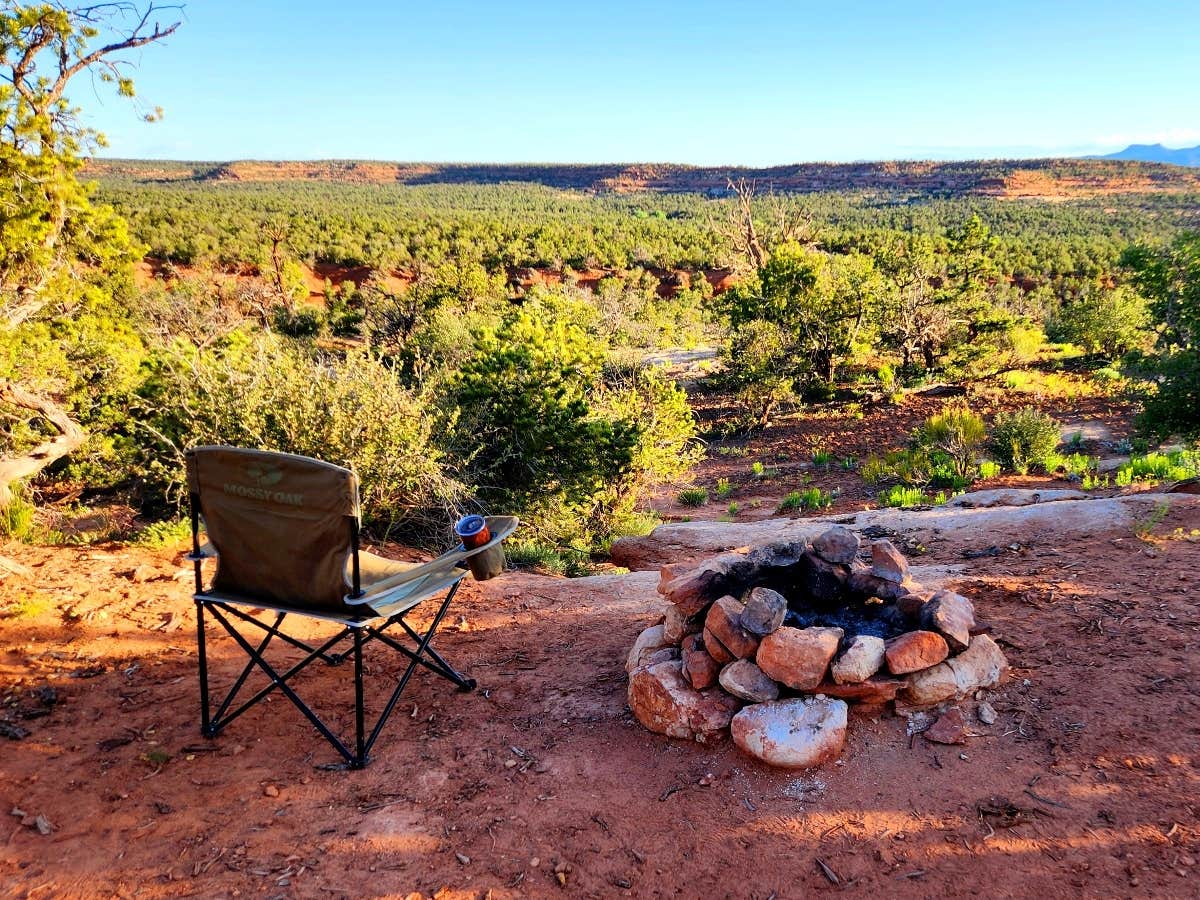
(1088, 785)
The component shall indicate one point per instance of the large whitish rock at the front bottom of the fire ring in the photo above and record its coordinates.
(794, 734)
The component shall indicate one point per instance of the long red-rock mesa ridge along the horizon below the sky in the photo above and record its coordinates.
(1053, 179)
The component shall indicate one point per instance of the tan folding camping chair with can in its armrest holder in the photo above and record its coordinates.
(285, 532)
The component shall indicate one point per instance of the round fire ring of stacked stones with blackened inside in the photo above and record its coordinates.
(772, 645)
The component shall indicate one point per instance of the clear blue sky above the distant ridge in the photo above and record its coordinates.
(711, 83)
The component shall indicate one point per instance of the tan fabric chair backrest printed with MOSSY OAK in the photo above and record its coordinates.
(284, 526)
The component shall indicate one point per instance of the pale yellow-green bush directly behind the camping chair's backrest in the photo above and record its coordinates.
(266, 393)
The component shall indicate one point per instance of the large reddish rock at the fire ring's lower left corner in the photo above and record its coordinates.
(665, 704)
